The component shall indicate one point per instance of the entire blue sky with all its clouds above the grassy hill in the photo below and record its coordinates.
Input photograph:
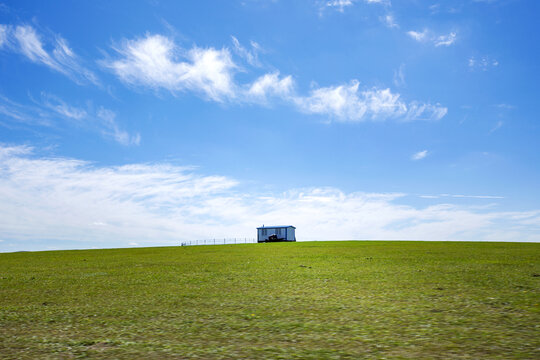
(153, 122)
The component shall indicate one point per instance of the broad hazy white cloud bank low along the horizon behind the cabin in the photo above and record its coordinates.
(154, 204)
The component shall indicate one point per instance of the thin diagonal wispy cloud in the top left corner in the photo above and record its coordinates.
(25, 40)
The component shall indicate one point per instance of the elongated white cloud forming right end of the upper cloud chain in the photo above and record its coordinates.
(348, 103)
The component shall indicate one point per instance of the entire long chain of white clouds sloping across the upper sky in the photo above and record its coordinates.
(155, 61)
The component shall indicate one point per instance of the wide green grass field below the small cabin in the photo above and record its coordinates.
(283, 300)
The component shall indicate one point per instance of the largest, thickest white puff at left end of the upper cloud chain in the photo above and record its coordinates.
(155, 61)
